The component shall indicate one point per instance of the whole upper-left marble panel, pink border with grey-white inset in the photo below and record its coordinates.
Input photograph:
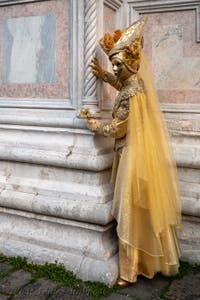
(34, 50)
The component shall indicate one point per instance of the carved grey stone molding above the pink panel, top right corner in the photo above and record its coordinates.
(142, 6)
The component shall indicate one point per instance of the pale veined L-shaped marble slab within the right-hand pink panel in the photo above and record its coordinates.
(174, 72)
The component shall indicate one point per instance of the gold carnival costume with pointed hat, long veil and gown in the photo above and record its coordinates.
(146, 199)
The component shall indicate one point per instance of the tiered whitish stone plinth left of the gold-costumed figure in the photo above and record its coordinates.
(55, 206)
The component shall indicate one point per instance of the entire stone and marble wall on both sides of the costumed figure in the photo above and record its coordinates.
(55, 195)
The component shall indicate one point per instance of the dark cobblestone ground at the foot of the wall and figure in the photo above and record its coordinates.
(20, 285)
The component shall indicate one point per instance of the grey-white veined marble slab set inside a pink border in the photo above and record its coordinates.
(29, 49)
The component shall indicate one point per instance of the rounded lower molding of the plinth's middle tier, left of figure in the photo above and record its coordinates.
(97, 213)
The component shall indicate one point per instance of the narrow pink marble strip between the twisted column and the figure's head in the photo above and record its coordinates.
(109, 26)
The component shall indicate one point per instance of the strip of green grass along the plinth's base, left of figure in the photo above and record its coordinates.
(58, 273)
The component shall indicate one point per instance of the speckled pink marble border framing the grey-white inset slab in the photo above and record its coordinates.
(59, 89)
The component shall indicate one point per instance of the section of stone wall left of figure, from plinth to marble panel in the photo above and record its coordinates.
(55, 198)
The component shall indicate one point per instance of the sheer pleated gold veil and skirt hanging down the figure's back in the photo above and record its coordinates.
(146, 199)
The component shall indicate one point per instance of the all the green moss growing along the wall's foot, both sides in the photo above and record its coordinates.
(57, 273)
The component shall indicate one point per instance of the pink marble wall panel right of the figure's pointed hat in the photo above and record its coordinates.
(170, 44)
